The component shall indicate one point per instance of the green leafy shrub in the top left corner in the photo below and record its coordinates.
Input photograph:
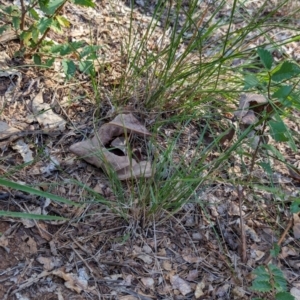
(33, 22)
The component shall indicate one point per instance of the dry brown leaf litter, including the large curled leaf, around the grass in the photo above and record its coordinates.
(192, 255)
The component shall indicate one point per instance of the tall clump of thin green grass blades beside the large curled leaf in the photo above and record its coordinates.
(190, 64)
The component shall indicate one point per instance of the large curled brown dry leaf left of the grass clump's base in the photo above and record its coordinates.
(94, 152)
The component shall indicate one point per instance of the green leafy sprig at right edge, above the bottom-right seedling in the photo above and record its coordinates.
(280, 84)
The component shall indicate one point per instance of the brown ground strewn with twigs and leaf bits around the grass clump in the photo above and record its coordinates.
(195, 254)
